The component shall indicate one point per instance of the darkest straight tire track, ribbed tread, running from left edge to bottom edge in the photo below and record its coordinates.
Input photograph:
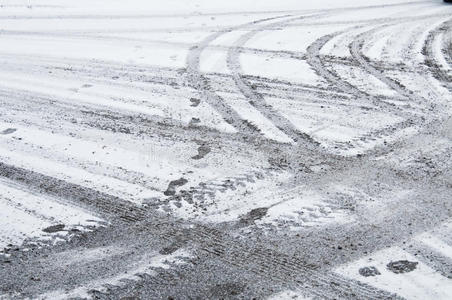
(258, 259)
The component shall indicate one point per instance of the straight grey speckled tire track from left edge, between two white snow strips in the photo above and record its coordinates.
(102, 119)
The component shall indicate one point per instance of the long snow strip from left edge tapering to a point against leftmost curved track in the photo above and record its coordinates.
(72, 90)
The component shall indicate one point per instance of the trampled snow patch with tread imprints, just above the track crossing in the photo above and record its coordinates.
(295, 207)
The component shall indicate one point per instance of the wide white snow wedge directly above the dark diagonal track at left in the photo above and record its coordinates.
(62, 156)
